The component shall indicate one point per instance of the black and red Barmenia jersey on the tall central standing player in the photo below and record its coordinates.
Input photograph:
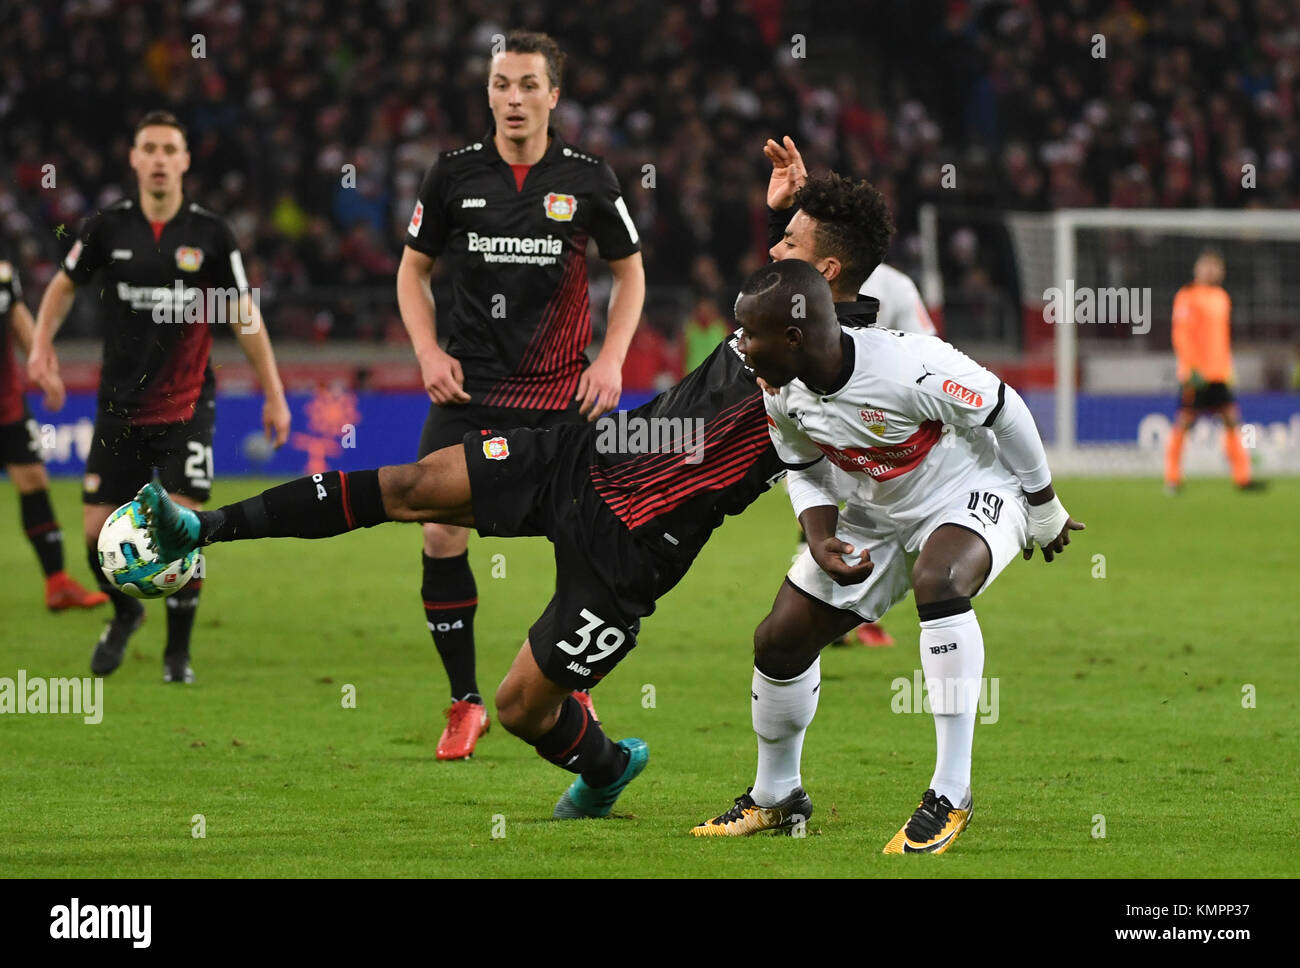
(521, 322)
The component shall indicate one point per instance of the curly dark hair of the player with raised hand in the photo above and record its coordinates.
(853, 224)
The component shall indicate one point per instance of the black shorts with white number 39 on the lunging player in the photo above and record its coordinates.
(538, 483)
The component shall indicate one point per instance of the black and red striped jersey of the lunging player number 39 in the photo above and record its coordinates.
(674, 468)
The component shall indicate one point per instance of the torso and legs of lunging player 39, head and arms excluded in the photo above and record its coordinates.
(626, 524)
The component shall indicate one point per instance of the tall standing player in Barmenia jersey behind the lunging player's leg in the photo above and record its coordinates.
(513, 214)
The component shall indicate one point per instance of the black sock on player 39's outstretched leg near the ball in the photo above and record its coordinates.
(320, 506)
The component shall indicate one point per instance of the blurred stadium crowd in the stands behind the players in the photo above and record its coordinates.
(311, 121)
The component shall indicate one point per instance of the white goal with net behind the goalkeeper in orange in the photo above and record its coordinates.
(1082, 325)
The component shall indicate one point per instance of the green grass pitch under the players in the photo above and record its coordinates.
(1125, 692)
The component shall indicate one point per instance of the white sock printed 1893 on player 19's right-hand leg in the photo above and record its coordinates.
(954, 679)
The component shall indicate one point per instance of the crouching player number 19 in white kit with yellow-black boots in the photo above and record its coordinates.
(947, 481)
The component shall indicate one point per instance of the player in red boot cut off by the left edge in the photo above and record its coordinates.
(20, 449)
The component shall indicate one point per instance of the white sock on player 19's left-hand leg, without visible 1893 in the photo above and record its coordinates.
(782, 711)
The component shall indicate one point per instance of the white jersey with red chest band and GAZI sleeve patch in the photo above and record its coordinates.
(907, 427)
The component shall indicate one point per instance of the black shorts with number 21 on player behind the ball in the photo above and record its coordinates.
(123, 458)
